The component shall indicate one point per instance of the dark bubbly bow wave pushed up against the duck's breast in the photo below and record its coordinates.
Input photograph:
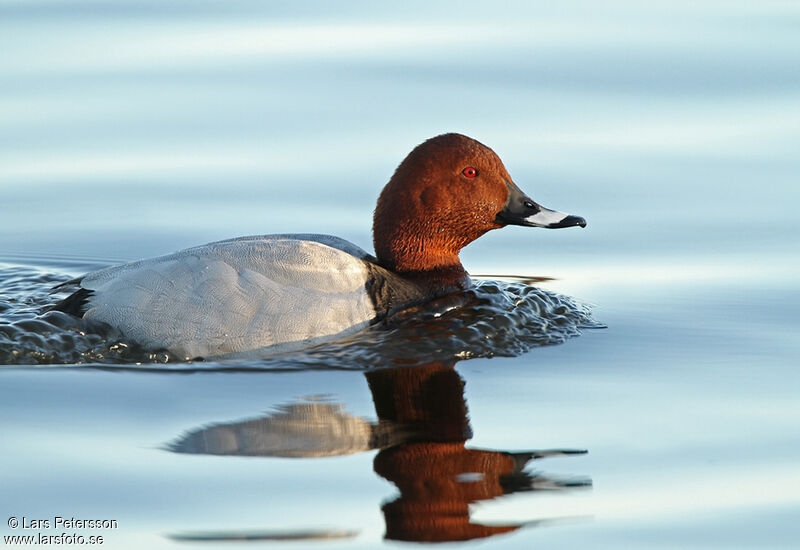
(494, 318)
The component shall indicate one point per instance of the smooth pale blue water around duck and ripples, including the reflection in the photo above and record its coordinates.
(136, 128)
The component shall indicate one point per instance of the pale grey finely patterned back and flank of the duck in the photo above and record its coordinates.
(237, 296)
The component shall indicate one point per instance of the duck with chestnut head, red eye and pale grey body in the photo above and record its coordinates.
(266, 294)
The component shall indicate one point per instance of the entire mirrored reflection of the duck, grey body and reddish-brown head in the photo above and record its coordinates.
(422, 431)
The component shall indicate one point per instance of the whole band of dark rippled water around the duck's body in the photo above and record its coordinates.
(494, 318)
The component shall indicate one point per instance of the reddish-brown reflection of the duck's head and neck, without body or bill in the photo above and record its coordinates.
(437, 476)
